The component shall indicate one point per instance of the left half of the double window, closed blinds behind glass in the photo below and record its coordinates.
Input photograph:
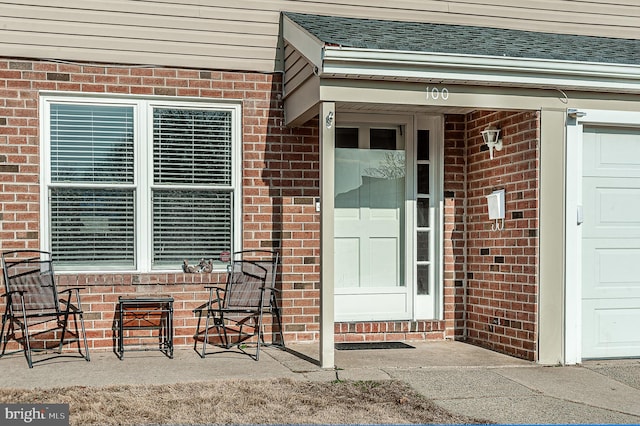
(92, 145)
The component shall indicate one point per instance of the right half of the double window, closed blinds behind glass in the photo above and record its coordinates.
(191, 151)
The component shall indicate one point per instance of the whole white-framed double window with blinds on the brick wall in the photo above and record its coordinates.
(136, 186)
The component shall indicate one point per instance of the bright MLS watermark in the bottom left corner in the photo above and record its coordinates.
(34, 414)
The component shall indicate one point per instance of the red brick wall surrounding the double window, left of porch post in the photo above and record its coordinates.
(280, 181)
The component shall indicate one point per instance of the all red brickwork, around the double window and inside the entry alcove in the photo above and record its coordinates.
(280, 183)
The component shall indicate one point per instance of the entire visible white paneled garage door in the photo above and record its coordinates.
(611, 243)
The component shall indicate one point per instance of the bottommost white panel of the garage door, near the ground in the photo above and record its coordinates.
(611, 328)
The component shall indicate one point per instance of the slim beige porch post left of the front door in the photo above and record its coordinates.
(327, 175)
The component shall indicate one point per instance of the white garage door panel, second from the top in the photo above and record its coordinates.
(611, 207)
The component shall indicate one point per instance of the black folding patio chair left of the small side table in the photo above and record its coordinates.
(35, 313)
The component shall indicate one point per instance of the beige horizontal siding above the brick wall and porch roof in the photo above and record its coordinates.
(243, 34)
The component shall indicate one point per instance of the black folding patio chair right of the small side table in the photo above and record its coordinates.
(236, 309)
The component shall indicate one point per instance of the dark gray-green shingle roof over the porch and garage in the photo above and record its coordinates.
(467, 40)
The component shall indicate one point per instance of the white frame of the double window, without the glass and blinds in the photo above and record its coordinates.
(143, 164)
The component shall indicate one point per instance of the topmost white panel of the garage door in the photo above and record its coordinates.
(611, 152)
